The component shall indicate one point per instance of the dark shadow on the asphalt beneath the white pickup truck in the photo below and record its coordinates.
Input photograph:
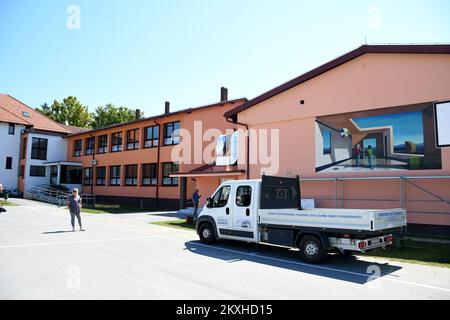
(345, 268)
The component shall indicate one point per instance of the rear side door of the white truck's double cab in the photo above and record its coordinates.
(243, 215)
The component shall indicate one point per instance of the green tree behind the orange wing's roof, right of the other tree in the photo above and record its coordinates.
(110, 114)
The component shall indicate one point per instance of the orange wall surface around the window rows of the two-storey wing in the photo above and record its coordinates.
(210, 117)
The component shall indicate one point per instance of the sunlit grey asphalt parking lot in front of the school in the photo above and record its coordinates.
(124, 257)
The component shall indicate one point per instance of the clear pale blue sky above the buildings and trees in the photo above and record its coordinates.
(142, 53)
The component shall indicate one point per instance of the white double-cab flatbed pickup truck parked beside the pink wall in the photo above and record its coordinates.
(268, 211)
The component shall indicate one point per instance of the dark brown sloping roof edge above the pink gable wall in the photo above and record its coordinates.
(410, 49)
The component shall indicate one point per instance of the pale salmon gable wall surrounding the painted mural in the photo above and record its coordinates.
(372, 81)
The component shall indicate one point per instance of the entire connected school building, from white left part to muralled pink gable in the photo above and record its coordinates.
(361, 131)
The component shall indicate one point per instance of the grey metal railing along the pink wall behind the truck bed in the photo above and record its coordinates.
(339, 198)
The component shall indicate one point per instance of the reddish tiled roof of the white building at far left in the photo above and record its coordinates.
(14, 111)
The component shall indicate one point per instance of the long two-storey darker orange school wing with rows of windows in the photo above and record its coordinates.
(131, 163)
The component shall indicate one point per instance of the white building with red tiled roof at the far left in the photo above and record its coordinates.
(33, 149)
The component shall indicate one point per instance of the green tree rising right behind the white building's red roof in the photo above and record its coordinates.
(69, 111)
